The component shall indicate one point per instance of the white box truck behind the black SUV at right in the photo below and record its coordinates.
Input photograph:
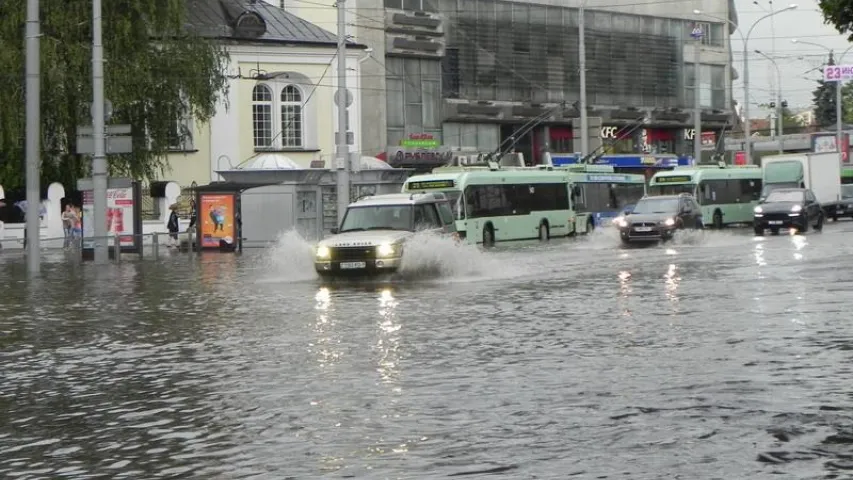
(819, 172)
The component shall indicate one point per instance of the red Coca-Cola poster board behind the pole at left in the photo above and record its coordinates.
(120, 219)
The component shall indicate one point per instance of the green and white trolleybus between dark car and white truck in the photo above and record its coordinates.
(727, 195)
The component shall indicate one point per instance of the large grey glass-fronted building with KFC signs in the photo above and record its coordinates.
(498, 53)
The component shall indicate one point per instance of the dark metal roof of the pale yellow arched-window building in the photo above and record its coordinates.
(255, 21)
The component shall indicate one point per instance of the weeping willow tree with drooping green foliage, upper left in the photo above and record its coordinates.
(156, 71)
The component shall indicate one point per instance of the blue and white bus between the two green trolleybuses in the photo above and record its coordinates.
(603, 193)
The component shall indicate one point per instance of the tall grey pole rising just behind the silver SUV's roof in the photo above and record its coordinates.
(343, 100)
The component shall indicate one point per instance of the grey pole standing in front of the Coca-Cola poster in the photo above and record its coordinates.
(99, 159)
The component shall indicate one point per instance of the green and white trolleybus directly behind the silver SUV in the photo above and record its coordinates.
(499, 205)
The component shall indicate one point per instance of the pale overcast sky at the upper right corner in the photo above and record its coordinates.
(773, 36)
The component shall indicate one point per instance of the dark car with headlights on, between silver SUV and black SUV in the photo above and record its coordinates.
(657, 218)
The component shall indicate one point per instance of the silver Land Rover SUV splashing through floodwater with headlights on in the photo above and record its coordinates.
(374, 230)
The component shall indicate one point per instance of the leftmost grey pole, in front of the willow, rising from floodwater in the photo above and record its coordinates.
(33, 136)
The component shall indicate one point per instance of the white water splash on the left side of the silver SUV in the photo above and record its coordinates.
(290, 258)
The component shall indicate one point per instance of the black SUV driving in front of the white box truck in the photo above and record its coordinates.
(788, 208)
